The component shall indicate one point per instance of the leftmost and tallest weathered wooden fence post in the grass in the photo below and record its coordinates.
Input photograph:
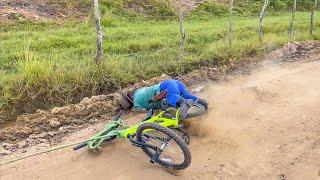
(99, 33)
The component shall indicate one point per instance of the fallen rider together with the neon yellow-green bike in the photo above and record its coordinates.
(155, 133)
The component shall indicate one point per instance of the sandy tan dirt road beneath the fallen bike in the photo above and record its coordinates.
(260, 126)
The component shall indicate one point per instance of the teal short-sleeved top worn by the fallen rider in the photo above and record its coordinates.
(143, 97)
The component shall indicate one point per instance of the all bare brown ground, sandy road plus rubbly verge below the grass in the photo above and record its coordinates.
(262, 124)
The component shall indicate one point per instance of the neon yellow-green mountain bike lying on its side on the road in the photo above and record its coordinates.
(155, 135)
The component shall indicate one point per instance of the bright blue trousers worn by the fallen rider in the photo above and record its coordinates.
(175, 91)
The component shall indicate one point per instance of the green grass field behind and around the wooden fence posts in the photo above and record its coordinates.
(42, 65)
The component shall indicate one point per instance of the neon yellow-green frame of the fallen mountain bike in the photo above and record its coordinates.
(117, 129)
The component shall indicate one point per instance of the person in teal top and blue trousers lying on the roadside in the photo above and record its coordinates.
(168, 93)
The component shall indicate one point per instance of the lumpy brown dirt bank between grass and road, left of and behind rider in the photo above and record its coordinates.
(51, 125)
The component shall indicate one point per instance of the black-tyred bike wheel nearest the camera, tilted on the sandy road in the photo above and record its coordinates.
(172, 151)
